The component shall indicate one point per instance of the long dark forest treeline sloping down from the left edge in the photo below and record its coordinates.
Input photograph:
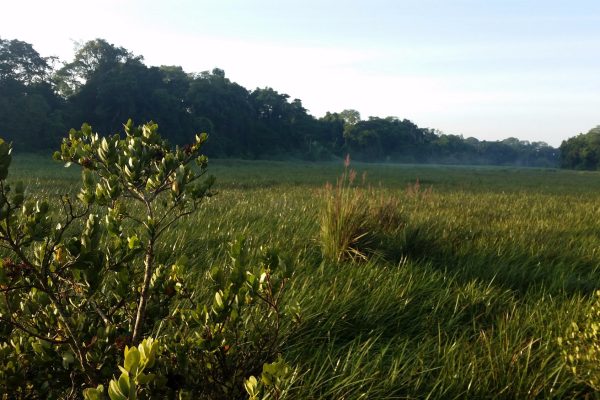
(104, 85)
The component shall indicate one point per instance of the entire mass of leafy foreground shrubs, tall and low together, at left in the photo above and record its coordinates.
(80, 283)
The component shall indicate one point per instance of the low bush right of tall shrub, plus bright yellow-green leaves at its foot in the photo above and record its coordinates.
(217, 351)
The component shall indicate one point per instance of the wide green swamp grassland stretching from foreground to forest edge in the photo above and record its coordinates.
(491, 268)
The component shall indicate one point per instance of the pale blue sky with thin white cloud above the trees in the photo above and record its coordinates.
(490, 69)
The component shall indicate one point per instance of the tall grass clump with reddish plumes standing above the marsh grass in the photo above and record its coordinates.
(355, 219)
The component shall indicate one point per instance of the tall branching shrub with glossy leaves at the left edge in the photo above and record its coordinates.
(76, 280)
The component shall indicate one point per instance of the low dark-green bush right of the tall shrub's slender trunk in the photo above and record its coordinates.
(213, 349)
